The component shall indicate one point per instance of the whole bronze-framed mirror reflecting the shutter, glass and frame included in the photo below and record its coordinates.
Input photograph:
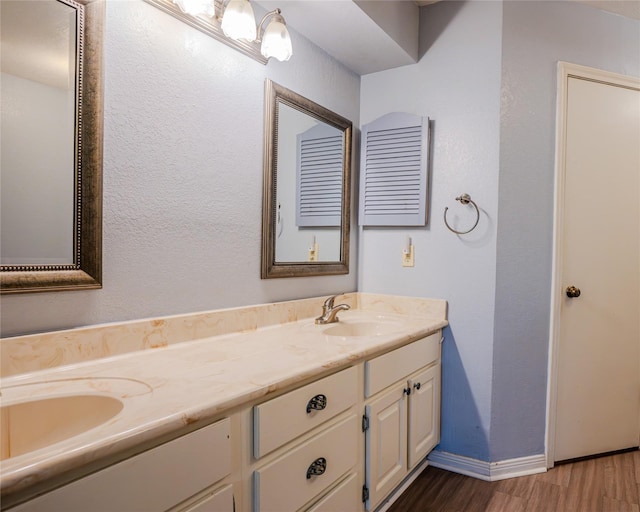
(306, 198)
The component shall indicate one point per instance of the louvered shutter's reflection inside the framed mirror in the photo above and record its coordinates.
(319, 177)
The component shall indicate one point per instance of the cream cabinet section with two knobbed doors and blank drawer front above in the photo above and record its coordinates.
(402, 414)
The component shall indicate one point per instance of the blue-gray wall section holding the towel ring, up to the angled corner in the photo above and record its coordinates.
(457, 84)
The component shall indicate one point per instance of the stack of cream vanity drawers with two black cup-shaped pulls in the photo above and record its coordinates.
(314, 433)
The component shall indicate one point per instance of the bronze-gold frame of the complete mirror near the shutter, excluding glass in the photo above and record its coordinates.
(274, 96)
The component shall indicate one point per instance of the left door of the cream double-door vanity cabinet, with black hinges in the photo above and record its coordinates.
(386, 444)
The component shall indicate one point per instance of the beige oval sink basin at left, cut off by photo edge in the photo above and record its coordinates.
(30, 425)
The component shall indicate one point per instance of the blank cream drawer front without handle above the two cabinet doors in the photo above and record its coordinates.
(393, 366)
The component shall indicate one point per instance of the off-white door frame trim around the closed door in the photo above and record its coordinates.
(565, 71)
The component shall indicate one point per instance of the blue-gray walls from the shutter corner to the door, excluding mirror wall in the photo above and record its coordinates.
(487, 76)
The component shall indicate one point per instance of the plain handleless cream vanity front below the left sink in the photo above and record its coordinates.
(189, 474)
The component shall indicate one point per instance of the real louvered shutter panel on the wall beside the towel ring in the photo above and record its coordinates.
(394, 171)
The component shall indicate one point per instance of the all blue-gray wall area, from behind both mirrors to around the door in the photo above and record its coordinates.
(183, 178)
